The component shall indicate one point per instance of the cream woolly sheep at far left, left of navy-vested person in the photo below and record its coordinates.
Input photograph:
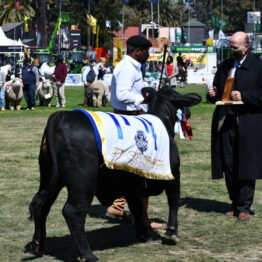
(14, 93)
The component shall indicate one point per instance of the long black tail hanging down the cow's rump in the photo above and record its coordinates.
(48, 167)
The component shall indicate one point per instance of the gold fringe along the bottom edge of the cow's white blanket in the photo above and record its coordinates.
(138, 171)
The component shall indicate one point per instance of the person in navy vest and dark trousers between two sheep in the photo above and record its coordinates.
(30, 77)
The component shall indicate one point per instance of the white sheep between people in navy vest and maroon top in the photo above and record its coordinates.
(45, 92)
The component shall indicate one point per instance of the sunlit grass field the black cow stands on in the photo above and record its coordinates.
(206, 234)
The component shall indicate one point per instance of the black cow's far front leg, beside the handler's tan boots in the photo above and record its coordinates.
(135, 205)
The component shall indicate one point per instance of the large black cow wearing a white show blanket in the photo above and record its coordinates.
(69, 157)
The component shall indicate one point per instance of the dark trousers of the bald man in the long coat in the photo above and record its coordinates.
(241, 192)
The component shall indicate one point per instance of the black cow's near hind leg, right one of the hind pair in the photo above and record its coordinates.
(80, 196)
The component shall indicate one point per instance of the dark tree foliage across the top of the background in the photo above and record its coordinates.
(44, 13)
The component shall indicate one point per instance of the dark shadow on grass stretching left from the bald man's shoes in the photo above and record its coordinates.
(205, 205)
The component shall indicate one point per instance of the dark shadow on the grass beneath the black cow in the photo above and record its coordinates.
(119, 235)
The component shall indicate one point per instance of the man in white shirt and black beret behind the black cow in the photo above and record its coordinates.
(127, 99)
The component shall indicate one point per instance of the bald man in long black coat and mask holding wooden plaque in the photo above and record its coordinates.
(236, 141)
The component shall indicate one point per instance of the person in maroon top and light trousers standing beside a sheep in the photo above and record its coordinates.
(59, 77)
